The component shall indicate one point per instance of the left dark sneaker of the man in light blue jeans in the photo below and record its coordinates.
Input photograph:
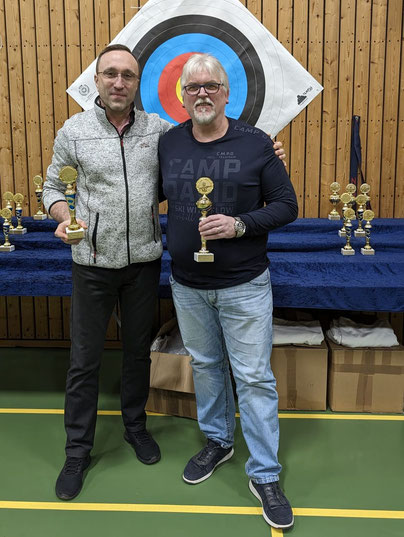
(202, 465)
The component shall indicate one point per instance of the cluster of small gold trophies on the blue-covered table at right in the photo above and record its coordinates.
(348, 214)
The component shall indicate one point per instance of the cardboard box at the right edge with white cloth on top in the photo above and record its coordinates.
(366, 379)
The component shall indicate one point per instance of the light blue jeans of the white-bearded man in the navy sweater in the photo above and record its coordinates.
(234, 324)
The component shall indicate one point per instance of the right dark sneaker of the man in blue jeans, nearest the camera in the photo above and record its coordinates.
(276, 509)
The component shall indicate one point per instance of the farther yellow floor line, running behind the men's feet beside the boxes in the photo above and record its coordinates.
(292, 415)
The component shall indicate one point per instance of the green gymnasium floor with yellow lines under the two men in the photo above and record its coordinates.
(343, 473)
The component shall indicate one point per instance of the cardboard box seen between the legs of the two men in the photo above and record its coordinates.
(171, 382)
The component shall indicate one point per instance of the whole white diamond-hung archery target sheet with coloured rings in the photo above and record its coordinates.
(268, 87)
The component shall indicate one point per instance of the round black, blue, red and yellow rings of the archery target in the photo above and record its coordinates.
(163, 52)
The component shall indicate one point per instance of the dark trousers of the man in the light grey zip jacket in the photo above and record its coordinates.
(95, 294)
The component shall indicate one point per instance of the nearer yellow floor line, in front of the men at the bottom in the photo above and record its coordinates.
(198, 509)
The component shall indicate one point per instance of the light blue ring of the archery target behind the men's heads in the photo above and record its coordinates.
(175, 46)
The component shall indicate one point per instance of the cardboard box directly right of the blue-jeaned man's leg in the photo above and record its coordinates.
(301, 376)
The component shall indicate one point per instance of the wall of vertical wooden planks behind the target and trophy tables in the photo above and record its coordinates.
(354, 48)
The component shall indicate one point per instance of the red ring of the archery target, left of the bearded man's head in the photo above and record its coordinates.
(167, 88)
